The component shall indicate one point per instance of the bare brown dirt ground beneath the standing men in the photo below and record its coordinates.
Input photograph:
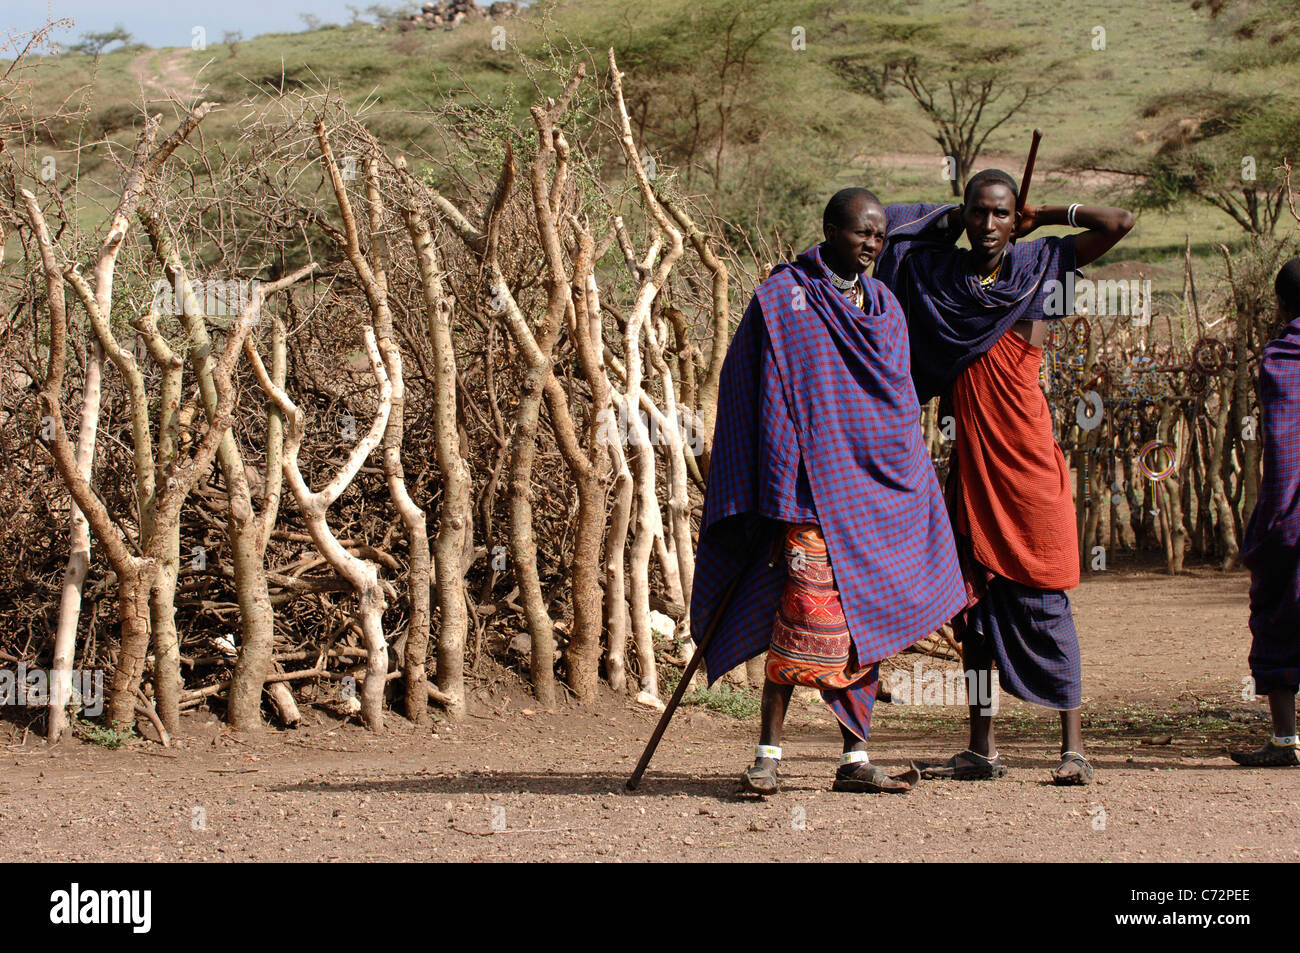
(1164, 661)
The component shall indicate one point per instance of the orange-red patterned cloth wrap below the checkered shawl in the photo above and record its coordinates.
(811, 638)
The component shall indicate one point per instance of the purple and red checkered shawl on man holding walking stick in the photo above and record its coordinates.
(817, 418)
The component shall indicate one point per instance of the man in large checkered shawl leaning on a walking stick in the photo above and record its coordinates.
(822, 497)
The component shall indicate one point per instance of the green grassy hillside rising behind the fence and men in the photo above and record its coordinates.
(795, 131)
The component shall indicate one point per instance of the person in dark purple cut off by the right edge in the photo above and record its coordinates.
(1272, 545)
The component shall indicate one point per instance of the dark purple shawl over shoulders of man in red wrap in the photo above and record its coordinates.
(952, 319)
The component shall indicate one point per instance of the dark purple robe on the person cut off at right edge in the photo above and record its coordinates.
(1272, 544)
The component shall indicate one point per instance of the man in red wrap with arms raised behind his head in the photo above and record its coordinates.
(977, 322)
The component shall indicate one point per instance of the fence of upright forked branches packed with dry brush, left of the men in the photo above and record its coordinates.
(302, 409)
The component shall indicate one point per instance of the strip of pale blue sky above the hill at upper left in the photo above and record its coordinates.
(171, 23)
